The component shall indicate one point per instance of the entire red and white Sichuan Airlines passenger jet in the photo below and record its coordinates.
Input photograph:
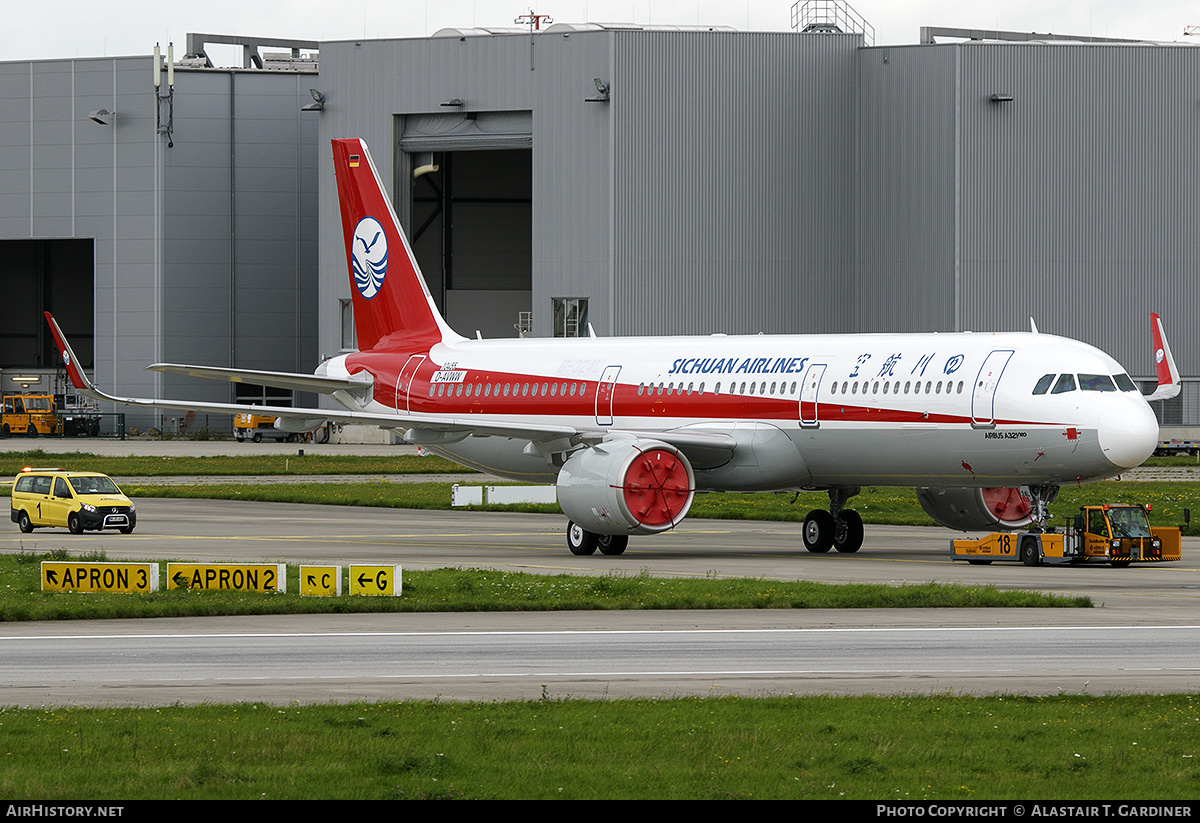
(985, 426)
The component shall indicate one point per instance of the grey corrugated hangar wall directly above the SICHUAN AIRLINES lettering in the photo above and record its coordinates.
(734, 166)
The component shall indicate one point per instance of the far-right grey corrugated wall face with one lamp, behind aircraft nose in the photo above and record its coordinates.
(1082, 196)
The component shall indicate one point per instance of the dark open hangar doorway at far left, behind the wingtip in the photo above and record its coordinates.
(53, 277)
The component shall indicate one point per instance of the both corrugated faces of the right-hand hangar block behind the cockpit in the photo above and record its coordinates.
(1076, 203)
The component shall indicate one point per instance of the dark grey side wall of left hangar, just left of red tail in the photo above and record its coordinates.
(239, 226)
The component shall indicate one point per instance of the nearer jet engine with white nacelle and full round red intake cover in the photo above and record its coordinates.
(627, 486)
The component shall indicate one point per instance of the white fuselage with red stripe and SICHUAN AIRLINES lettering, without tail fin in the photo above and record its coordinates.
(820, 411)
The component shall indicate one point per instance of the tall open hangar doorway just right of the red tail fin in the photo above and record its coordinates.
(470, 179)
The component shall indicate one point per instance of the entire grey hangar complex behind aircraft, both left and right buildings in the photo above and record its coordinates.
(639, 181)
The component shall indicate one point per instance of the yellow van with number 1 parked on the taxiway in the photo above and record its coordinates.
(77, 501)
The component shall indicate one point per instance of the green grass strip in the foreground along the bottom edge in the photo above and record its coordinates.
(1123, 750)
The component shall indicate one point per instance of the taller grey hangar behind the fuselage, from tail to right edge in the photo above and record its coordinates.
(699, 182)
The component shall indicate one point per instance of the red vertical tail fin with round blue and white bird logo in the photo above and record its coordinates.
(393, 307)
